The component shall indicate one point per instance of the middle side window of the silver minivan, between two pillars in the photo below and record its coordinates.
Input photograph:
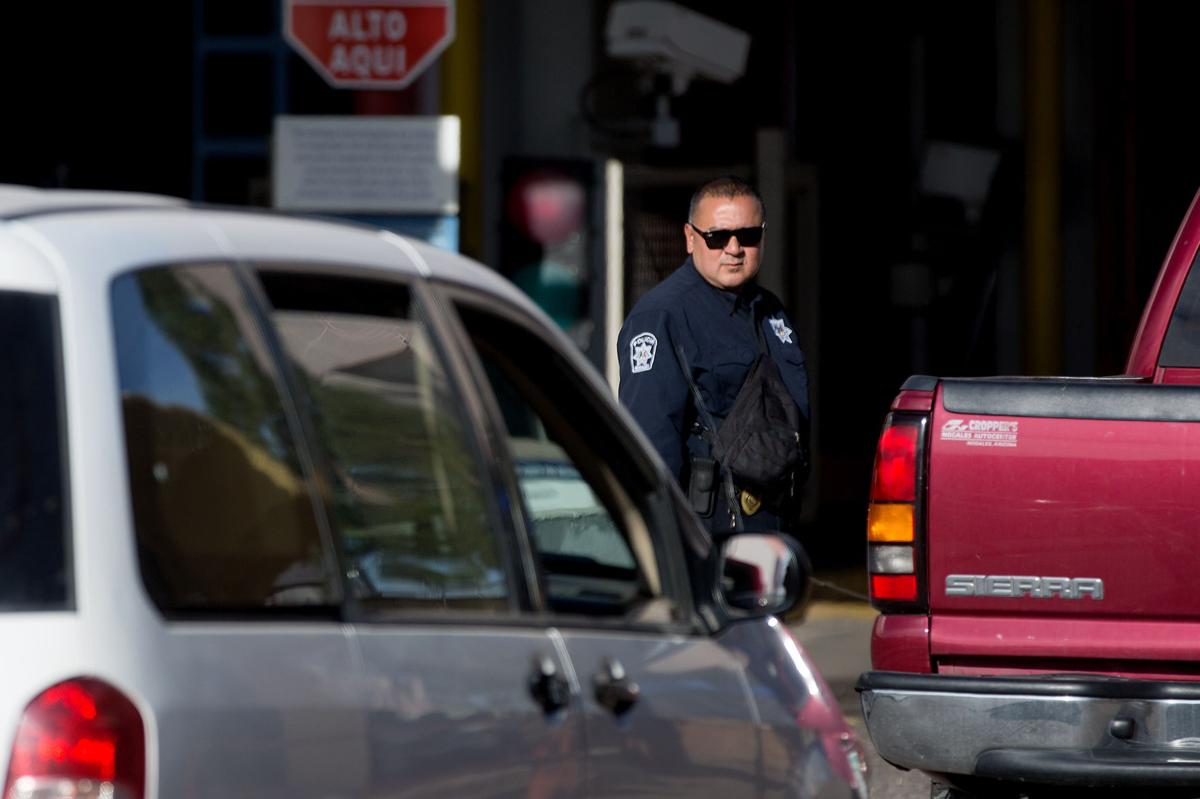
(406, 494)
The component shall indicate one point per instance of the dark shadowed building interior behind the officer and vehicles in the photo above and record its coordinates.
(1067, 115)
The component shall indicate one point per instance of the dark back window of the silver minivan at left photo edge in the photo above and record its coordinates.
(34, 573)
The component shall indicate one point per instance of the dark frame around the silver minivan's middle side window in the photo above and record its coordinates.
(441, 335)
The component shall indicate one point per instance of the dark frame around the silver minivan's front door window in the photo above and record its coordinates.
(655, 504)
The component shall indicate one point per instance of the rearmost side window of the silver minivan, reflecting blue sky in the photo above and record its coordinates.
(224, 514)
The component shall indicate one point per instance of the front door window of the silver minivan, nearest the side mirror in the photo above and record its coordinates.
(584, 503)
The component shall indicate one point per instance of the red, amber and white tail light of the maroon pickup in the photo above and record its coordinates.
(893, 515)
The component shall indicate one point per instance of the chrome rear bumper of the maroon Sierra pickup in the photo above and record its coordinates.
(1069, 731)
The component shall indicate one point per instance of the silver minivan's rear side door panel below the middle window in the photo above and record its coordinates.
(451, 713)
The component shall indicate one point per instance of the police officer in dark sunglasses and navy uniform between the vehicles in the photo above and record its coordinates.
(710, 320)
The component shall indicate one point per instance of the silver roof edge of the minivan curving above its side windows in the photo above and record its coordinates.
(103, 235)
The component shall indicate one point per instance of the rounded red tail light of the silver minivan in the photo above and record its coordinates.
(81, 738)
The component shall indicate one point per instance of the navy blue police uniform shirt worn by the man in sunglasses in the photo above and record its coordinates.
(716, 331)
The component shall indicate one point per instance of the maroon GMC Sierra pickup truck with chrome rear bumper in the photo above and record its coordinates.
(1034, 548)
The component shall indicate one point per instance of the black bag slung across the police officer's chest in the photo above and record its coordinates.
(763, 440)
